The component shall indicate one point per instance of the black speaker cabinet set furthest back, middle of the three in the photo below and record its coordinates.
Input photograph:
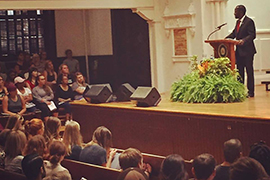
(124, 92)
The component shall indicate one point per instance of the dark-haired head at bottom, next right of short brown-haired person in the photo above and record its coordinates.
(173, 168)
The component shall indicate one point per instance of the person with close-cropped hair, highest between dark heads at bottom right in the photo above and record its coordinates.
(232, 151)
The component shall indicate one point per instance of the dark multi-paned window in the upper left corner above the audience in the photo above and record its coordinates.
(21, 31)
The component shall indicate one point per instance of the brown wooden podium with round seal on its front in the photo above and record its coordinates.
(224, 48)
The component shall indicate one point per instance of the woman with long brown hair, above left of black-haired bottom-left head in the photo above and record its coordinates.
(13, 148)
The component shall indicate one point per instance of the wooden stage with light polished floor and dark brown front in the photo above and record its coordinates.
(173, 127)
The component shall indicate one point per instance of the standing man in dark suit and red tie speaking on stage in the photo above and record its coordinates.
(245, 33)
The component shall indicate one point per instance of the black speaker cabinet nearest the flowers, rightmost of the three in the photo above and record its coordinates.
(146, 96)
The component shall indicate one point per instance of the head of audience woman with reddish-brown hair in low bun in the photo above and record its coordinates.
(57, 151)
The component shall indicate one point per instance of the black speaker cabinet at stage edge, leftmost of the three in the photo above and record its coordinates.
(98, 93)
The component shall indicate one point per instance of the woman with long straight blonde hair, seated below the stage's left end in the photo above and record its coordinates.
(72, 139)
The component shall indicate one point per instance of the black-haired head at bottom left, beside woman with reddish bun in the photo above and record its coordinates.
(33, 168)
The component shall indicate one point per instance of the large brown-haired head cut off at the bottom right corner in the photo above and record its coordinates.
(246, 168)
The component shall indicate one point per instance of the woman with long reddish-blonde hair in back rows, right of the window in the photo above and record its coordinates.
(50, 74)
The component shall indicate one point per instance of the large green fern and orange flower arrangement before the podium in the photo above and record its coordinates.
(212, 81)
